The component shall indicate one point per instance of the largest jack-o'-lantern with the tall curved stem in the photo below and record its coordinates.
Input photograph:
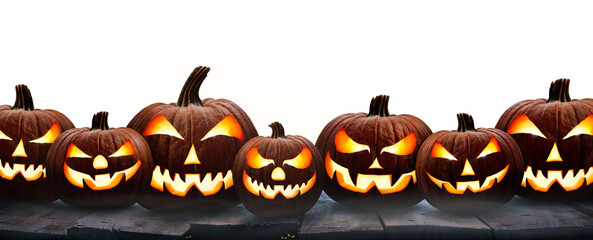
(193, 144)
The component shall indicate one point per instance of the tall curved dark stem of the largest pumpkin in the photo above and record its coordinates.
(189, 92)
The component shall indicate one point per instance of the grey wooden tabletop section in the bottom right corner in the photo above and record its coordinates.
(525, 219)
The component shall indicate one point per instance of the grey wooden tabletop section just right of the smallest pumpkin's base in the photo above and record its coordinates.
(331, 220)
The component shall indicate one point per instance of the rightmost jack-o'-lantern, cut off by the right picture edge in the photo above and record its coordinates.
(556, 139)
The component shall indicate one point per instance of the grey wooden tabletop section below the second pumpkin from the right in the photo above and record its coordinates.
(426, 222)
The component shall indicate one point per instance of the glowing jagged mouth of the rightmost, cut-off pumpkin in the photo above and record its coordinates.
(568, 181)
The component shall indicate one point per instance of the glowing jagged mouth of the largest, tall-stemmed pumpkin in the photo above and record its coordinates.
(203, 182)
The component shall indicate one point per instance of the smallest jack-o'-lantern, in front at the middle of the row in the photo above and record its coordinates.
(277, 176)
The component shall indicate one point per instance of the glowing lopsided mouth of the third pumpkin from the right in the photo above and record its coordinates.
(364, 182)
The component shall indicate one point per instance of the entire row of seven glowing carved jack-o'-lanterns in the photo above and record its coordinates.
(206, 154)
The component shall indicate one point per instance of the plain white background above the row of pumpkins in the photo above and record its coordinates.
(301, 63)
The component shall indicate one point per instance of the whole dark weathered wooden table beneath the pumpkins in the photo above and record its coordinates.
(518, 219)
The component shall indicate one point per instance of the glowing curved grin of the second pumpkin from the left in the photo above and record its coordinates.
(100, 181)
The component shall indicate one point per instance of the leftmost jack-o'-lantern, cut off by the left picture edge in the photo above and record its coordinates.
(26, 134)
